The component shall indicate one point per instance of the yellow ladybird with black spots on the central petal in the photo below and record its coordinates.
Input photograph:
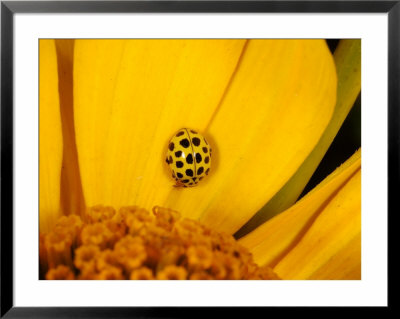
(189, 157)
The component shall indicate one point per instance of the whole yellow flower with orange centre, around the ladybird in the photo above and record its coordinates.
(269, 109)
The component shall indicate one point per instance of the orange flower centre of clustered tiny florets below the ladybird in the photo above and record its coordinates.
(132, 243)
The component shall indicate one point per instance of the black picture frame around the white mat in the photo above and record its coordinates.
(9, 8)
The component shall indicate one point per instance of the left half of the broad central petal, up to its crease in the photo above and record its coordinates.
(130, 97)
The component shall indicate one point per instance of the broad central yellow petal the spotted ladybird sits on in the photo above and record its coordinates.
(269, 98)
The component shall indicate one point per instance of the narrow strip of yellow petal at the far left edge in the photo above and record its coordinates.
(50, 136)
